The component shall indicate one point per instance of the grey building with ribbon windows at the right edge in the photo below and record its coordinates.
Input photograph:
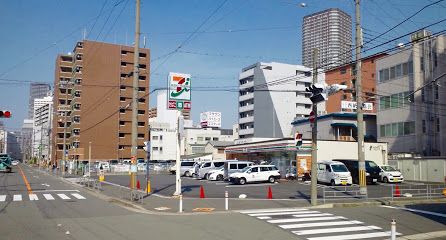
(410, 116)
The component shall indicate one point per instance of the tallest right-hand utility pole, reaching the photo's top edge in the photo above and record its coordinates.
(359, 111)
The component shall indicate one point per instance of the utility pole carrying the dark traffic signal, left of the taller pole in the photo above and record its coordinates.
(314, 138)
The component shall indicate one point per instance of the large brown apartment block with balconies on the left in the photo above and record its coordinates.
(93, 89)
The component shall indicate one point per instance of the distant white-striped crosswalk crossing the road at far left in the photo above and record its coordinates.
(43, 196)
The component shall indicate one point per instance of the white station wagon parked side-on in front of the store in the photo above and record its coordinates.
(256, 173)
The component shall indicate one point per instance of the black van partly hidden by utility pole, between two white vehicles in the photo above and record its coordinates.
(371, 168)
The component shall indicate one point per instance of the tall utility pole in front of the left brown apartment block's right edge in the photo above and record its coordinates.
(134, 150)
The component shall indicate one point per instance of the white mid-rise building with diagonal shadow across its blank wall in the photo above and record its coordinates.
(271, 95)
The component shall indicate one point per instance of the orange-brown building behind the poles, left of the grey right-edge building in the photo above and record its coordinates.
(345, 75)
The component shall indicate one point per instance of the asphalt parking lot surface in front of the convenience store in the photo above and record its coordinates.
(164, 184)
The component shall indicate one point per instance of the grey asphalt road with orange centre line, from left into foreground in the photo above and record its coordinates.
(61, 215)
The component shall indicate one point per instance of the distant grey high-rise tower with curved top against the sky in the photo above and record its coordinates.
(330, 31)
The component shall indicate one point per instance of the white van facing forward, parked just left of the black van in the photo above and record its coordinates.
(333, 173)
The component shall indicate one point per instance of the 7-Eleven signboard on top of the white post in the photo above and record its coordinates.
(179, 91)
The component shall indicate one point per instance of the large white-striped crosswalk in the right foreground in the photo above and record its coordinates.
(314, 225)
